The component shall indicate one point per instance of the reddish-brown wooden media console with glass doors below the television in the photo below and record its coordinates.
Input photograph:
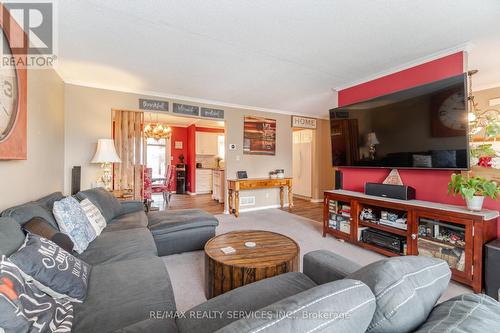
(448, 232)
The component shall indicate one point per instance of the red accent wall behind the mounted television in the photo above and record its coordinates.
(430, 185)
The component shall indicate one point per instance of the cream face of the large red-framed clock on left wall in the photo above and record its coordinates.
(8, 94)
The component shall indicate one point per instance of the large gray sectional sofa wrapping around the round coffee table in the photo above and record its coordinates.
(130, 290)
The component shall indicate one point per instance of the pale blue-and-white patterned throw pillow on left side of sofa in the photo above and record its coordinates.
(73, 222)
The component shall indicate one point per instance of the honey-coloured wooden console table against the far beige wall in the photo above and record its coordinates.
(234, 186)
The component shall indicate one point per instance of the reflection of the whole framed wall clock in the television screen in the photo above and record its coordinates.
(448, 117)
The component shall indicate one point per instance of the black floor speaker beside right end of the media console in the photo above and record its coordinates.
(492, 269)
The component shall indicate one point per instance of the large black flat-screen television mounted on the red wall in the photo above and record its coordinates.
(424, 127)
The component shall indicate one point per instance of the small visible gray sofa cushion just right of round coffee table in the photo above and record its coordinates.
(324, 266)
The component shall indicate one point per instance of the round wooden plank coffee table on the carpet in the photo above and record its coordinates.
(273, 254)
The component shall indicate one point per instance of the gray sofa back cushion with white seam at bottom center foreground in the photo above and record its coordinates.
(340, 306)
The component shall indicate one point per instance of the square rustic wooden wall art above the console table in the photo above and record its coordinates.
(259, 136)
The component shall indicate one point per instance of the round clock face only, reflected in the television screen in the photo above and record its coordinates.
(451, 112)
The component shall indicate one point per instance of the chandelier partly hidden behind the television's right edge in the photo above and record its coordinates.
(482, 120)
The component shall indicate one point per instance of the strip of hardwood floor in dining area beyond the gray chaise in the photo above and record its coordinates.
(184, 201)
